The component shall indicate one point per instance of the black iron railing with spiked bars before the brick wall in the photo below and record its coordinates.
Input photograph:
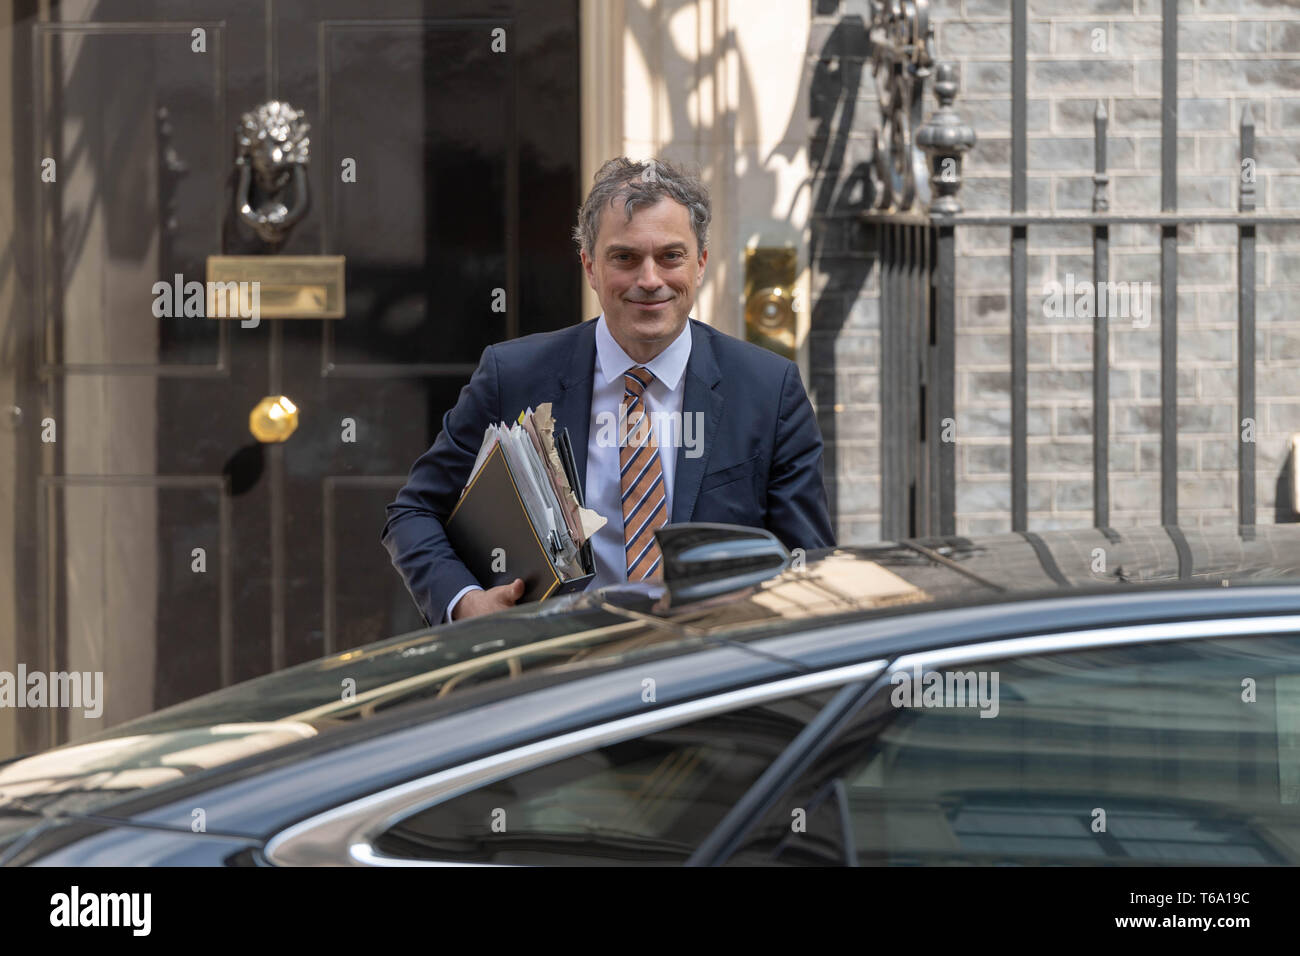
(918, 275)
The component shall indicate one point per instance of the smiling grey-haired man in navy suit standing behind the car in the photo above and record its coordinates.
(670, 419)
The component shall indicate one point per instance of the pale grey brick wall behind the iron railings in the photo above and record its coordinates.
(1232, 54)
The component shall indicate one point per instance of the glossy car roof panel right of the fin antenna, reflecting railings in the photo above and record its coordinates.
(955, 572)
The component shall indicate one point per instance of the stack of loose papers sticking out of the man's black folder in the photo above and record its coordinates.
(553, 504)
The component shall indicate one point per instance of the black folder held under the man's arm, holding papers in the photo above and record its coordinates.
(491, 516)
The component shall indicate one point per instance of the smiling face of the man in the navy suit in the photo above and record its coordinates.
(645, 274)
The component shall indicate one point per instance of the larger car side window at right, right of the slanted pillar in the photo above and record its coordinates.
(1159, 754)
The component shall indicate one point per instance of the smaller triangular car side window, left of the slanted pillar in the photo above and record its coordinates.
(647, 802)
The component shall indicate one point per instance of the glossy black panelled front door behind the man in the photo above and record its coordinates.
(159, 542)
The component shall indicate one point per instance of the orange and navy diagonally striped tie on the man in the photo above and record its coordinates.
(644, 495)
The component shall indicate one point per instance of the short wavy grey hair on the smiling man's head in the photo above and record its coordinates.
(643, 184)
